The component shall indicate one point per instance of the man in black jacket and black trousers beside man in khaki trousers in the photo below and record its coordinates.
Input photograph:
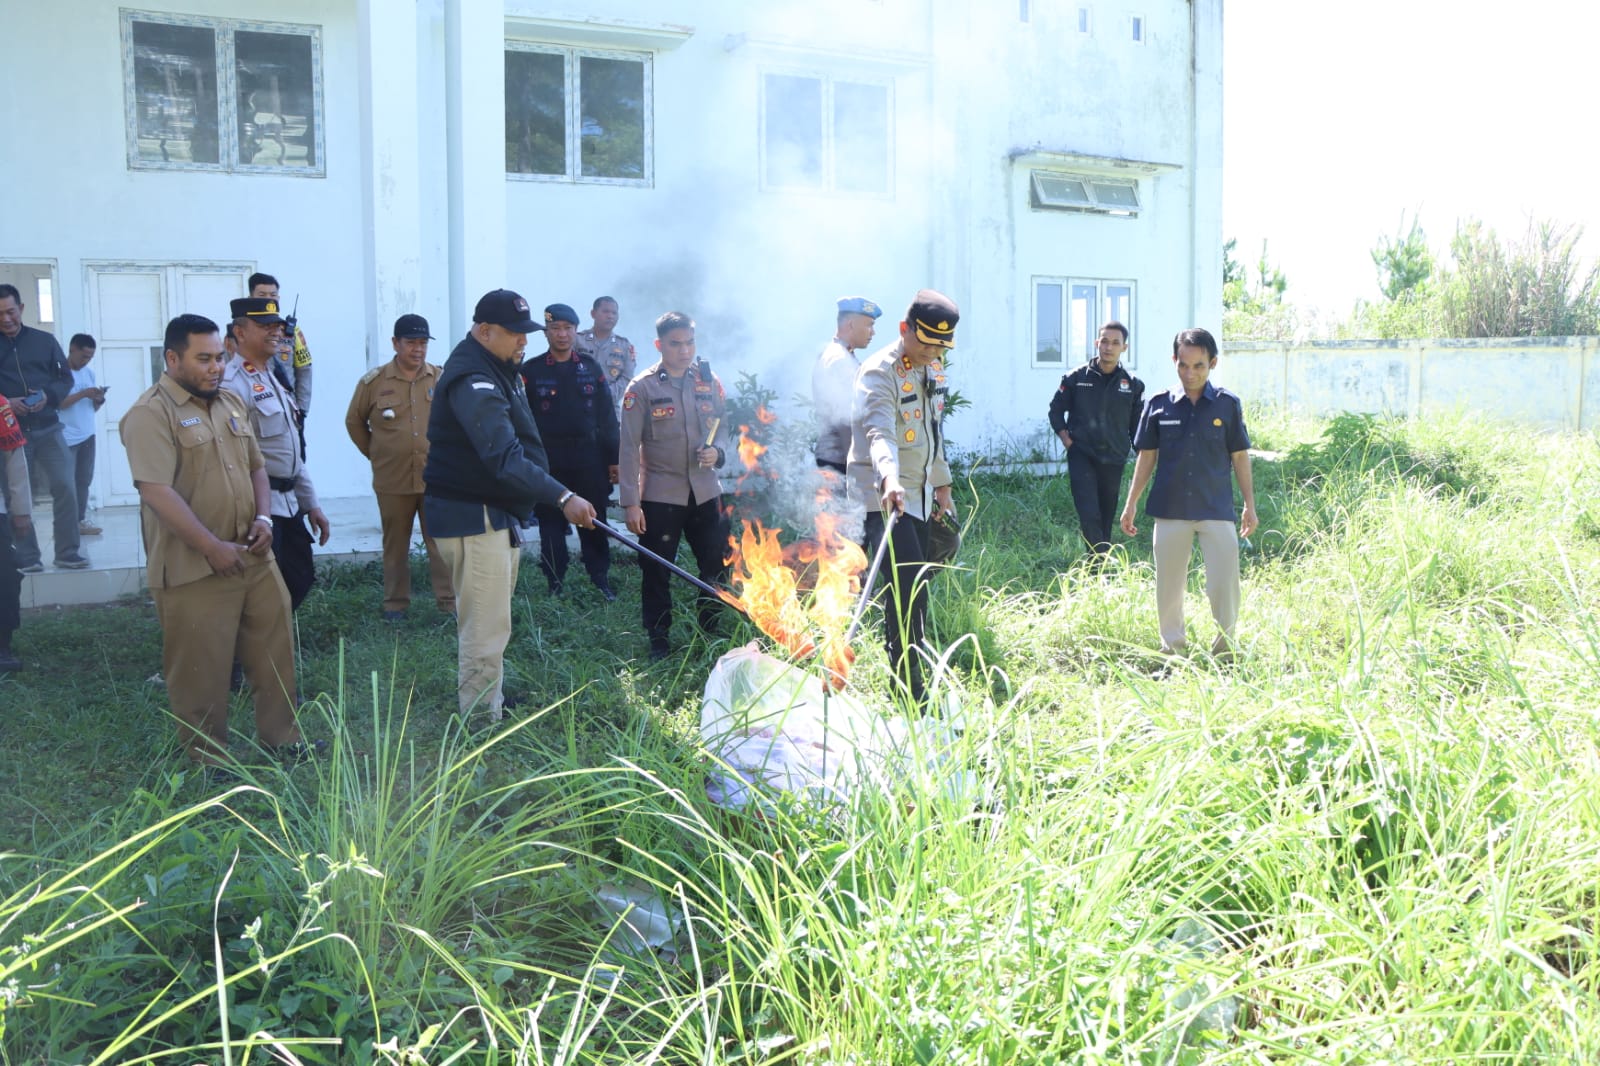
(1095, 414)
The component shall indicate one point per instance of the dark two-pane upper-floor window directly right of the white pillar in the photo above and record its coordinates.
(575, 114)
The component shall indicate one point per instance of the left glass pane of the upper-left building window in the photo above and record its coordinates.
(175, 94)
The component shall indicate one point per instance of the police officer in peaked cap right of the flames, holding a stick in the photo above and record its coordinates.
(898, 467)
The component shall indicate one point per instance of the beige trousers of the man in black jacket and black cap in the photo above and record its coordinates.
(484, 574)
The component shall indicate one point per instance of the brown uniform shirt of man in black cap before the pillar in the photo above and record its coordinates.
(388, 423)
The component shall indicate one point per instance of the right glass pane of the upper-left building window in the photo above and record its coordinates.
(278, 121)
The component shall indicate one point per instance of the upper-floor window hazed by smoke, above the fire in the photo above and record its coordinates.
(826, 135)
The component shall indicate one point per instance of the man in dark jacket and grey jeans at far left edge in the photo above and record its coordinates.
(36, 379)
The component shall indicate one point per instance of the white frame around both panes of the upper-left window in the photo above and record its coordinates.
(225, 54)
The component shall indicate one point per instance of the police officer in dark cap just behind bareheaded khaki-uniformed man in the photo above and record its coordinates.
(278, 427)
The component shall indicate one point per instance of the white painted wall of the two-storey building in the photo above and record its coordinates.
(414, 140)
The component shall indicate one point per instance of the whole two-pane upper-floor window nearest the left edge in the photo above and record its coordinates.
(222, 95)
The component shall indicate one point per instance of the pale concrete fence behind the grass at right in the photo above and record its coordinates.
(1548, 382)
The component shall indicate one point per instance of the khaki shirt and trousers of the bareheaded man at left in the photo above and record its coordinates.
(207, 452)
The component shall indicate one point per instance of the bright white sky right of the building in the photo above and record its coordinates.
(1342, 116)
